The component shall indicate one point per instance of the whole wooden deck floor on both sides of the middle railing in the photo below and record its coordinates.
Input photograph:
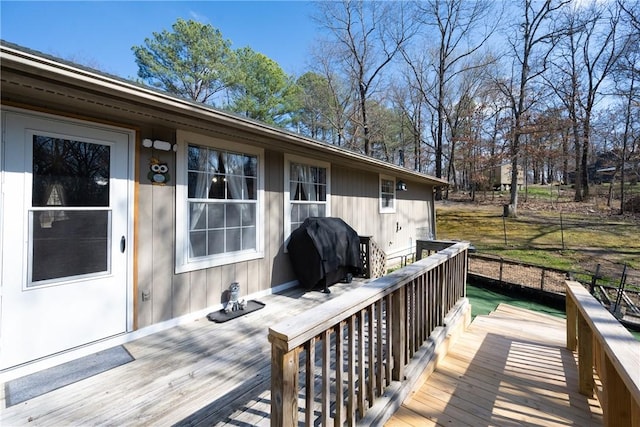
(511, 368)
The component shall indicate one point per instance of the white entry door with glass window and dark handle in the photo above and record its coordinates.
(64, 235)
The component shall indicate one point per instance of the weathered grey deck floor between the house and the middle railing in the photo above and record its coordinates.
(202, 373)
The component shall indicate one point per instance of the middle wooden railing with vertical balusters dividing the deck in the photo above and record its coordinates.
(335, 360)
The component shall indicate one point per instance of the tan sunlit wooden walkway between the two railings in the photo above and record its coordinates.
(509, 368)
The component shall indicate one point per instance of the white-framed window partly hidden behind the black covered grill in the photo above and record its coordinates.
(307, 191)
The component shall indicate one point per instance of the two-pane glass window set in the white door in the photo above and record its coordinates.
(70, 219)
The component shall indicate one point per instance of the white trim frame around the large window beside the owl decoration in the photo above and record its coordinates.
(183, 264)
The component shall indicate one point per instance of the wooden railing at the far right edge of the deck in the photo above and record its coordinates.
(606, 347)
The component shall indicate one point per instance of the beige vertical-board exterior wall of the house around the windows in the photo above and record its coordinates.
(354, 198)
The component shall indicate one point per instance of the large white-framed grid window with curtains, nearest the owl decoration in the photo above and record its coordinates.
(219, 209)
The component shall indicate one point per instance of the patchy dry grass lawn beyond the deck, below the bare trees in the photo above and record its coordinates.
(555, 233)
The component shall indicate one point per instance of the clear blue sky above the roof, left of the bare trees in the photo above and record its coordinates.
(100, 33)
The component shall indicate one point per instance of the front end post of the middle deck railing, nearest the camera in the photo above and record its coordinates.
(284, 386)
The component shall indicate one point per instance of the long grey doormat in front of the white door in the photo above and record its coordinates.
(36, 384)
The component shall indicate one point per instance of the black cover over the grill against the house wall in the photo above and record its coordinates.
(323, 251)
